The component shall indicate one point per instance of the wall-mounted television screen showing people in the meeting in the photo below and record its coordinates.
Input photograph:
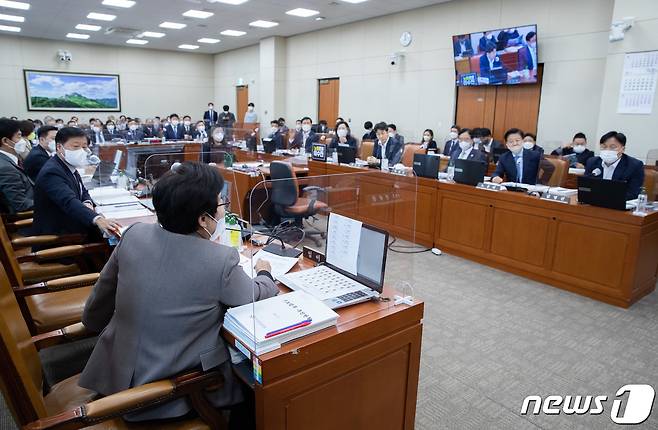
(496, 57)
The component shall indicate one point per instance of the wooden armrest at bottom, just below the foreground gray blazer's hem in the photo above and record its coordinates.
(132, 400)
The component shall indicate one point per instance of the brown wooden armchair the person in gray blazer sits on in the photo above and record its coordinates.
(67, 405)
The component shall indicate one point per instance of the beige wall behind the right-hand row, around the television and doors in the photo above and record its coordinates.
(420, 93)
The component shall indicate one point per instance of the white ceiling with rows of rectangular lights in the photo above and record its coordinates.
(53, 19)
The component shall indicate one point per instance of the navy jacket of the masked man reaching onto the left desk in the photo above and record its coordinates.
(58, 201)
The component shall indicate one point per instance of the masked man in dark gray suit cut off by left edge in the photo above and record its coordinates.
(16, 188)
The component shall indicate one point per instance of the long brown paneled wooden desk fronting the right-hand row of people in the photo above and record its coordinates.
(604, 254)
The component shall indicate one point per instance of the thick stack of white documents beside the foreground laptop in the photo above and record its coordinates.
(265, 325)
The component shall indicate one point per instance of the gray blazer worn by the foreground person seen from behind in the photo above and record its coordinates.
(160, 303)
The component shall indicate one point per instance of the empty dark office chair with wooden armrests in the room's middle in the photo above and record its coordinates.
(286, 199)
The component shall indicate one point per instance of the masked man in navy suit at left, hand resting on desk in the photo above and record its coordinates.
(61, 202)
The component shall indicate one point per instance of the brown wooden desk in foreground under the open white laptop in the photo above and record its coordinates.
(361, 374)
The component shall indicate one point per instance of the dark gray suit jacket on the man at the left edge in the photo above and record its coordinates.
(16, 187)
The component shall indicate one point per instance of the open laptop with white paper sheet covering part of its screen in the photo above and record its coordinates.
(353, 270)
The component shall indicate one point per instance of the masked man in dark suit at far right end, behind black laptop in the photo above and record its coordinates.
(613, 164)
